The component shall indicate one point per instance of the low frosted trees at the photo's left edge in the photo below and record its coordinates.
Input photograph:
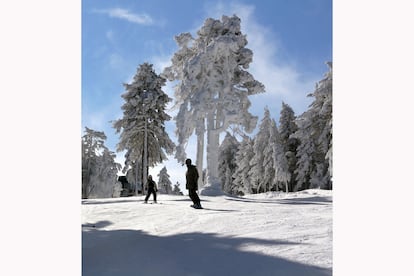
(99, 169)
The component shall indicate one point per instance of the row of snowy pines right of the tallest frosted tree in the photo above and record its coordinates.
(292, 156)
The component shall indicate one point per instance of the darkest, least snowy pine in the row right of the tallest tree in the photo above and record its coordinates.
(287, 126)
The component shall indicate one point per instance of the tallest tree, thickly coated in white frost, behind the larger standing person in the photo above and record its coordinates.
(213, 89)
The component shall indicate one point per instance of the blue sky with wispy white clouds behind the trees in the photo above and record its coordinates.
(290, 40)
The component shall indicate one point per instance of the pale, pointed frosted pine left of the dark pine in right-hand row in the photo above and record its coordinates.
(261, 145)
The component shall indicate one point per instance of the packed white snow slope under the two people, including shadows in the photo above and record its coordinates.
(263, 234)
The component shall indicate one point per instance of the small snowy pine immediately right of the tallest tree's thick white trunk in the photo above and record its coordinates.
(227, 162)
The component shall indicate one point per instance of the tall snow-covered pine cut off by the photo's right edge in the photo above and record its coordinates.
(315, 135)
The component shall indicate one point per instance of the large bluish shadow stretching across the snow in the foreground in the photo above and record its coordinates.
(134, 252)
